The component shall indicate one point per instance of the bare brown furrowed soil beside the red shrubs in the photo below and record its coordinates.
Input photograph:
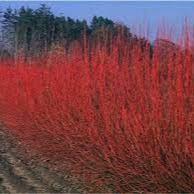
(18, 175)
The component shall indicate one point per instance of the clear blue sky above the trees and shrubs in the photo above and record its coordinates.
(136, 14)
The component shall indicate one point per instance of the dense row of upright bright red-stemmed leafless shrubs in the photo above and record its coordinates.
(122, 115)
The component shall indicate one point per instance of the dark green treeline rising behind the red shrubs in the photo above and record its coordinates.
(32, 32)
